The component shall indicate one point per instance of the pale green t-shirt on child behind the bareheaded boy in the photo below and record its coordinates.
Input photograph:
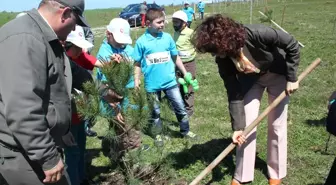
(186, 50)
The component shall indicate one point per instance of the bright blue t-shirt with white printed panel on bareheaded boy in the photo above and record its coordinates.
(155, 58)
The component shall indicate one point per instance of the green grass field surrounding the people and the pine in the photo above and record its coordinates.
(311, 22)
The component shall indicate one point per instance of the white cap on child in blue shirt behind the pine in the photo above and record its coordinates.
(121, 30)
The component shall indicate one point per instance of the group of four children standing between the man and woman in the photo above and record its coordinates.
(161, 59)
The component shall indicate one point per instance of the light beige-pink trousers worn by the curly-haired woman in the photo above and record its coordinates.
(277, 130)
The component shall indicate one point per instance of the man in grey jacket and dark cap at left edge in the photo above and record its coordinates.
(35, 89)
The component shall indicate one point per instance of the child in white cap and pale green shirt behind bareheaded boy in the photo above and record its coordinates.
(187, 53)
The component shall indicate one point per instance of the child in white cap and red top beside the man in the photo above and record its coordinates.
(74, 155)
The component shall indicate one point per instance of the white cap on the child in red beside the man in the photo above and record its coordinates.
(77, 37)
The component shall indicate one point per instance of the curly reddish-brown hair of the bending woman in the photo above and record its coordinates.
(219, 34)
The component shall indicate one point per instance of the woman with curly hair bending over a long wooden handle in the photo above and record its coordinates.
(252, 59)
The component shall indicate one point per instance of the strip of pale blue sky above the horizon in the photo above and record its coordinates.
(23, 5)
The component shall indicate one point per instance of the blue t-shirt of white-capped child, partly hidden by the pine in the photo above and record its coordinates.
(106, 50)
